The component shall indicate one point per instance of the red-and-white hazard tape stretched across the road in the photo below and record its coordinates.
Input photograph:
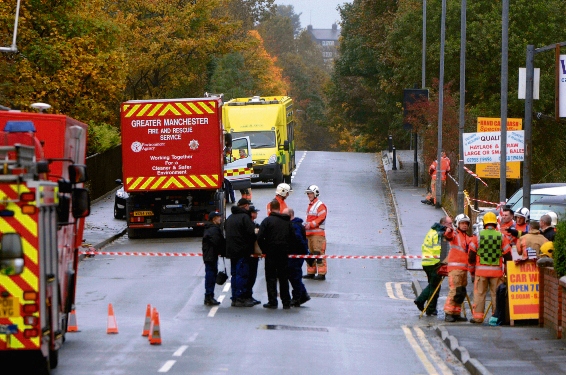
(164, 254)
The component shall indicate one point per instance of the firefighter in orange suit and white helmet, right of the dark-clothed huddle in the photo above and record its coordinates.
(316, 236)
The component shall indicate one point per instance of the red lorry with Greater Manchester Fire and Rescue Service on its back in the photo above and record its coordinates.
(175, 157)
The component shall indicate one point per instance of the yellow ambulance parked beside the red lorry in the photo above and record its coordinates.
(269, 124)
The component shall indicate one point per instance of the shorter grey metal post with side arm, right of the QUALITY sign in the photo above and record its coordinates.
(530, 72)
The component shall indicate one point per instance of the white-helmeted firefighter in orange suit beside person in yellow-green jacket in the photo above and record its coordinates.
(457, 259)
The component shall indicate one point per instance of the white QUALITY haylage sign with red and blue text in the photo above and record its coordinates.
(484, 147)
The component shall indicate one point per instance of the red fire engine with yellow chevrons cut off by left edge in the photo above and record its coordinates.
(42, 209)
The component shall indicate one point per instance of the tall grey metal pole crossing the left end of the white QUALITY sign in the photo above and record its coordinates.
(460, 203)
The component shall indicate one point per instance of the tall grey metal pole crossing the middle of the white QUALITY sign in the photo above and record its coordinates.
(504, 86)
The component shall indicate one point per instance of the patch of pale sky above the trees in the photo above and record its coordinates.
(321, 14)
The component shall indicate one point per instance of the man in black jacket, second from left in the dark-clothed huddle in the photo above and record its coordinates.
(240, 240)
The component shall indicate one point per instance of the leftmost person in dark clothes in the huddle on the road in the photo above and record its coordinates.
(213, 244)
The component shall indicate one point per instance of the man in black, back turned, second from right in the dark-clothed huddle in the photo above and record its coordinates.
(274, 239)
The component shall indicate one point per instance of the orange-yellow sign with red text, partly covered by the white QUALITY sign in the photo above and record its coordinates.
(492, 170)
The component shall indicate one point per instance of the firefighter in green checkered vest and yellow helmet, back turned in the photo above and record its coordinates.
(487, 261)
